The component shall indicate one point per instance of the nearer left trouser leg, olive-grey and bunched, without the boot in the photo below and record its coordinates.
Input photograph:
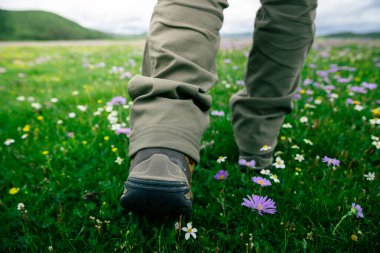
(170, 103)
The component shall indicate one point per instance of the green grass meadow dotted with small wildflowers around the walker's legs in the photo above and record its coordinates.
(64, 171)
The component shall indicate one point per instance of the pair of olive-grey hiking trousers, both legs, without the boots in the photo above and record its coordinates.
(170, 100)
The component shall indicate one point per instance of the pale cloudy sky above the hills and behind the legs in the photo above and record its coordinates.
(132, 16)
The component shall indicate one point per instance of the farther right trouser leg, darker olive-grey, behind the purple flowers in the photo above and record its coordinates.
(284, 33)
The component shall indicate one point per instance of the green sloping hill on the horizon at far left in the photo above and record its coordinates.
(42, 25)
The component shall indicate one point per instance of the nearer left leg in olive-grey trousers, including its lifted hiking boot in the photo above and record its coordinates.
(170, 105)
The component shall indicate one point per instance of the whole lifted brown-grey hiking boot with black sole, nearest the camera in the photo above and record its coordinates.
(159, 183)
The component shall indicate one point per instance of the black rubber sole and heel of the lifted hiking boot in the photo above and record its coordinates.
(156, 197)
